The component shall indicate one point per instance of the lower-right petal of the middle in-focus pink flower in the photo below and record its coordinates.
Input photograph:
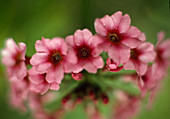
(97, 61)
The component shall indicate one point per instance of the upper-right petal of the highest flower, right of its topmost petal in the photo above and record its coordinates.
(124, 24)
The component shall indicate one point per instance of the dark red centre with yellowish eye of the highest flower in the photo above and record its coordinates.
(114, 36)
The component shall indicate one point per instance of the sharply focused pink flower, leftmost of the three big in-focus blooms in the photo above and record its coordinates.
(52, 58)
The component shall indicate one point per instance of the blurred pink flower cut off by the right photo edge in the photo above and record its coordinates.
(162, 56)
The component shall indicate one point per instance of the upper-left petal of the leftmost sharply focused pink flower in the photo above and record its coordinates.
(40, 47)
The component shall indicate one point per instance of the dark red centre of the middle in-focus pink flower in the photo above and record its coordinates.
(83, 51)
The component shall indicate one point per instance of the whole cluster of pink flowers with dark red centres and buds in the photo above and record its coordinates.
(117, 46)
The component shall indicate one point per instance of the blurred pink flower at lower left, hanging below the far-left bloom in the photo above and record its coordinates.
(19, 92)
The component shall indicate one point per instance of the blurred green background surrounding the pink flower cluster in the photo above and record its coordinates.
(29, 20)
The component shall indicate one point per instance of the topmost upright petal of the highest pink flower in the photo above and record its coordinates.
(116, 18)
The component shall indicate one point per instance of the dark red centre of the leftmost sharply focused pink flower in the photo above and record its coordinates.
(56, 58)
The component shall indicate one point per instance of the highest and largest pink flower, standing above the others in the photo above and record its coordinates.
(117, 36)
